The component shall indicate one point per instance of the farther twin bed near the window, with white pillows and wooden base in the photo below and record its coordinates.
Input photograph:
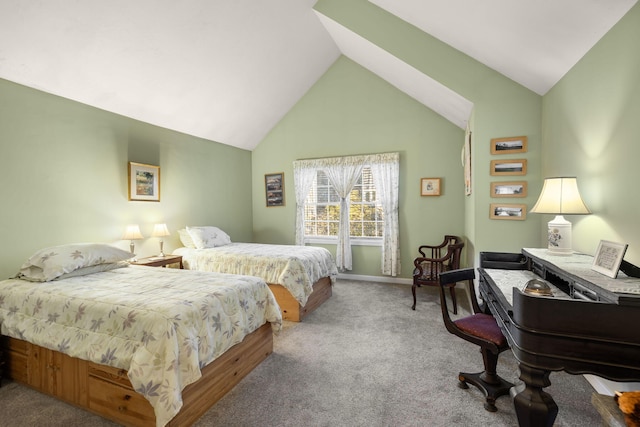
(300, 277)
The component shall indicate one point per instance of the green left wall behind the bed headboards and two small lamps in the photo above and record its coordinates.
(63, 178)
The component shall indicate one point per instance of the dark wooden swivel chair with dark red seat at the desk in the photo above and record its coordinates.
(480, 329)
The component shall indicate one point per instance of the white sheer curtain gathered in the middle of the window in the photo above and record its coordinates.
(343, 175)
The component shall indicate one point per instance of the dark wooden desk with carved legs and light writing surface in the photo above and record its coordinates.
(586, 327)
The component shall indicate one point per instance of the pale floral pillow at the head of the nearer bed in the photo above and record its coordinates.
(49, 263)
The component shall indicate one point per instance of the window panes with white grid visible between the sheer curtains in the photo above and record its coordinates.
(322, 210)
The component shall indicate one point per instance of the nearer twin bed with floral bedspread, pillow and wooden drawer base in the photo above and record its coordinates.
(138, 345)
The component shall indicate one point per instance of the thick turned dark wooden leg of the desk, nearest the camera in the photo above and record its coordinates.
(534, 406)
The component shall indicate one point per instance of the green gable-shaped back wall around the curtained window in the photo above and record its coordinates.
(352, 111)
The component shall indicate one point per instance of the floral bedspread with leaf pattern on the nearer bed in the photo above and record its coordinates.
(161, 325)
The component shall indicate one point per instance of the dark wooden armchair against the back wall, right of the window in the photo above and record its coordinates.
(434, 260)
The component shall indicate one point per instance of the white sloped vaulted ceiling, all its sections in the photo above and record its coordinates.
(228, 71)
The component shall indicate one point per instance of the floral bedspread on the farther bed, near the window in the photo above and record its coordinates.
(296, 268)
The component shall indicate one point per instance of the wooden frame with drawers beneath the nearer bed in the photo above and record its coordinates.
(107, 391)
